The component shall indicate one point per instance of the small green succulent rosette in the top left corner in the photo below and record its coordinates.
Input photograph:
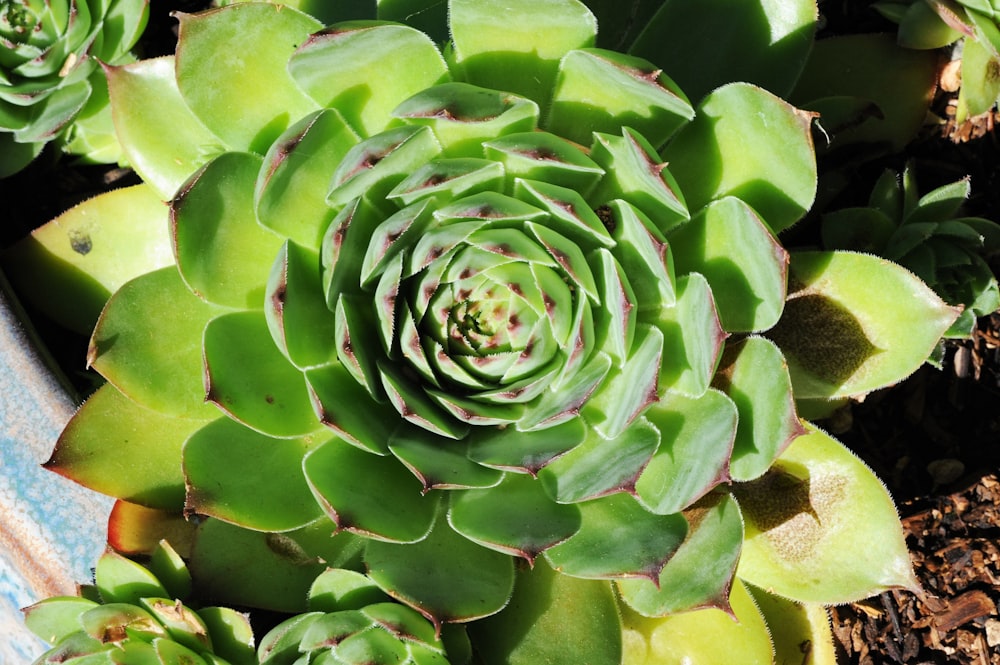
(51, 86)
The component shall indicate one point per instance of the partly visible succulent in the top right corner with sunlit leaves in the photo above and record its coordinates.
(931, 24)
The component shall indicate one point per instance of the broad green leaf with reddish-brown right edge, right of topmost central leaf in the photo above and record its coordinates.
(600, 91)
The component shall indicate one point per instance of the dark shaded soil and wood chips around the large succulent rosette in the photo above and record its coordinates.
(934, 439)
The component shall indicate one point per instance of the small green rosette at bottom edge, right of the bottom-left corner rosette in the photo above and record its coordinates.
(353, 622)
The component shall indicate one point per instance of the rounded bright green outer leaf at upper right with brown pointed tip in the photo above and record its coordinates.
(727, 150)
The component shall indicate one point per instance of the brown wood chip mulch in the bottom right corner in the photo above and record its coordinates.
(955, 547)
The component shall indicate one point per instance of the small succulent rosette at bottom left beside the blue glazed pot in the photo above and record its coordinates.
(133, 615)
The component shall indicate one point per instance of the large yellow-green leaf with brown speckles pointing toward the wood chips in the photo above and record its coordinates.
(821, 527)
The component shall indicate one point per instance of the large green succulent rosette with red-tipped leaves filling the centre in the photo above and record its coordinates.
(509, 318)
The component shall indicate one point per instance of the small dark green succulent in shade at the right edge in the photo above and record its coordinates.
(928, 235)
